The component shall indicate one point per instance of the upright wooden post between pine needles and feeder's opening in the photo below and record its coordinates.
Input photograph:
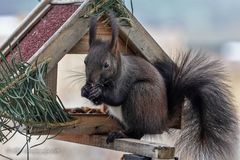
(51, 80)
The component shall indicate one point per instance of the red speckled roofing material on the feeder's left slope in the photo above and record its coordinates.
(44, 29)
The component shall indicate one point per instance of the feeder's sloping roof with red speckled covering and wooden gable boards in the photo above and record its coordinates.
(54, 27)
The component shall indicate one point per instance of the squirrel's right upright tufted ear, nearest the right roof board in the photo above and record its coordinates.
(114, 41)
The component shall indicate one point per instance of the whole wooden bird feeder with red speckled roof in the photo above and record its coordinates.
(59, 27)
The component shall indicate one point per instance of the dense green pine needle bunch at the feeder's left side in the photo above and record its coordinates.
(25, 99)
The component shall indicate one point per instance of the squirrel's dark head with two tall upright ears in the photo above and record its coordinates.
(103, 60)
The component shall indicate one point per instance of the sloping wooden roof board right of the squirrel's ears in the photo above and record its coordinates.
(141, 41)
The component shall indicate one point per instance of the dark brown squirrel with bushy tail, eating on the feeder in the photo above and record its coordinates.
(144, 96)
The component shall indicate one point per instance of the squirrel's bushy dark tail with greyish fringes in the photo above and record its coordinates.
(209, 118)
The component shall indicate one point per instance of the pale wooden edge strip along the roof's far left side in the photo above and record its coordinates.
(25, 23)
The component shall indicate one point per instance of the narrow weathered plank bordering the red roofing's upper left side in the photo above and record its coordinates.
(27, 22)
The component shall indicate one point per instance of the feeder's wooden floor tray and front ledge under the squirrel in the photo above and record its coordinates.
(92, 129)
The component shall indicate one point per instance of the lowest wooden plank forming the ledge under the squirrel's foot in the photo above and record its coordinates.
(139, 147)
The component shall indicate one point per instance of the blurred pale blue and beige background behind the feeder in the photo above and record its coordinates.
(212, 26)
